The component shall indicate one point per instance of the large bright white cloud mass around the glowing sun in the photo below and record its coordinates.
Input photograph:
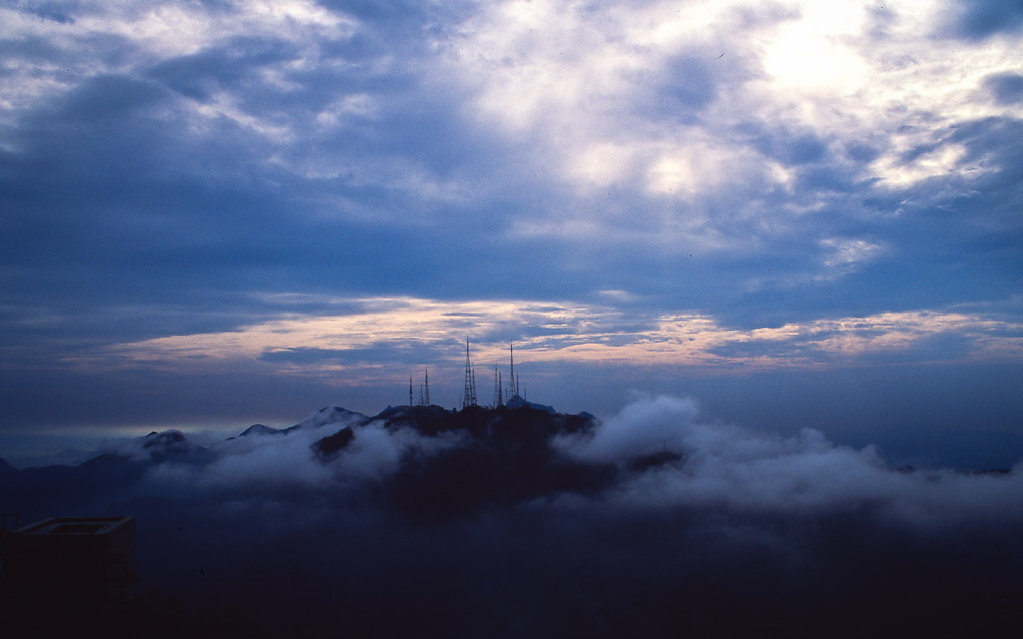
(573, 81)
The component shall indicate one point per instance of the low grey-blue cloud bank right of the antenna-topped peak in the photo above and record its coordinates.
(720, 466)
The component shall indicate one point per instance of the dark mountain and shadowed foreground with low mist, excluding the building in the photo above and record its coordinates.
(523, 522)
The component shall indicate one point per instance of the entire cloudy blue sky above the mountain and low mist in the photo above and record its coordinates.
(794, 214)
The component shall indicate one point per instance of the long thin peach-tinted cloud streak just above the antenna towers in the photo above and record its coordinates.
(571, 333)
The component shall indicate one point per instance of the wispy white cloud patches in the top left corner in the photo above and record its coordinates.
(102, 38)
